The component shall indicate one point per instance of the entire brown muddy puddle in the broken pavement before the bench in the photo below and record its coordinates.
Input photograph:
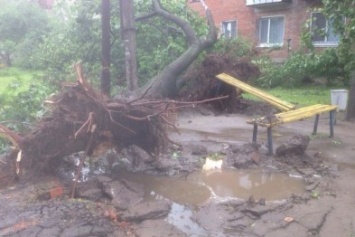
(202, 186)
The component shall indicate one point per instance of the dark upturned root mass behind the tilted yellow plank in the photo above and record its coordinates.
(199, 83)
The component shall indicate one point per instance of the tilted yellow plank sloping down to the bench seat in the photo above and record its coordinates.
(281, 104)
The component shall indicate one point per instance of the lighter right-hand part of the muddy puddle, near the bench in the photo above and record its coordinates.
(246, 183)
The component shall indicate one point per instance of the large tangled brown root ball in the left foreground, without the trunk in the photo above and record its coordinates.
(82, 118)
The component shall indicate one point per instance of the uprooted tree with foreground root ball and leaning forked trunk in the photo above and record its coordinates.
(81, 118)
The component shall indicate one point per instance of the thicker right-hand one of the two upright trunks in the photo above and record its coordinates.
(128, 34)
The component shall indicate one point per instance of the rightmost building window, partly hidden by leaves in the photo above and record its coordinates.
(323, 32)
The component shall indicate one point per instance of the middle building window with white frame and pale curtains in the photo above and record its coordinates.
(271, 31)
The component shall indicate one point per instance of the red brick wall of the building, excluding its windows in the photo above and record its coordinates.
(295, 15)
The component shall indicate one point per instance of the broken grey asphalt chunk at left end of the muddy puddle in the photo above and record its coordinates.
(123, 193)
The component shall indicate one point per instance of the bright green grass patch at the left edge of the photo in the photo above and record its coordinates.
(15, 80)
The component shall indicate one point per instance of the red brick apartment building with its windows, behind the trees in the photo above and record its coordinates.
(274, 26)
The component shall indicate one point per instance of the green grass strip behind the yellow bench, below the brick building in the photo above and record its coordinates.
(301, 96)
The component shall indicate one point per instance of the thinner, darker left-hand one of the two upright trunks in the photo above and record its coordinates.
(106, 48)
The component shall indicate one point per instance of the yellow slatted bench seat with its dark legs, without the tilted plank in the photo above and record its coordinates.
(293, 115)
